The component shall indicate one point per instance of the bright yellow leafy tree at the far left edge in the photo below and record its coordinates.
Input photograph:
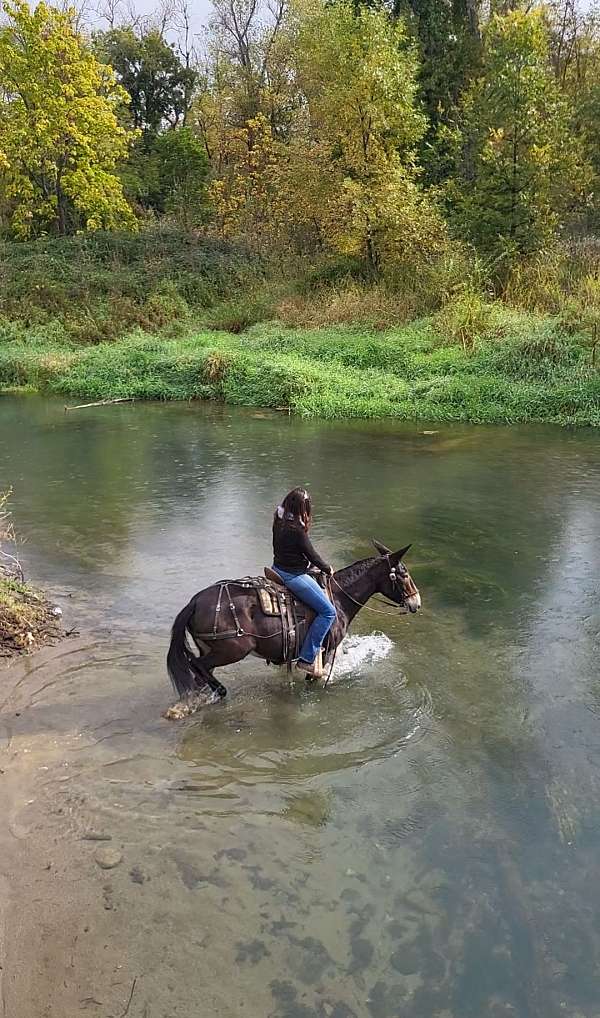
(61, 139)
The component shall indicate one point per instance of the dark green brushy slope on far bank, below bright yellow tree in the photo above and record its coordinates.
(98, 286)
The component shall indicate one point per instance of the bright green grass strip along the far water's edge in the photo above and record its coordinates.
(531, 373)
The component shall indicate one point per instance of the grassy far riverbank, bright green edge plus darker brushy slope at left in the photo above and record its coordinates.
(163, 292)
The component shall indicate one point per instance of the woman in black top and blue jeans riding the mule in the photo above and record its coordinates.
(293, 554)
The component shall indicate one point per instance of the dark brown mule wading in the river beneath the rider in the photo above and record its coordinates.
(248, 631)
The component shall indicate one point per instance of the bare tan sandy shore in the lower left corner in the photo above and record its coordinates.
(66, 947)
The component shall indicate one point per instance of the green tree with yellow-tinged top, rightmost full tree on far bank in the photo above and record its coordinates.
(521, 171)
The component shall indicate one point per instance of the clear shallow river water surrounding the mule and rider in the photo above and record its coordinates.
(420, 839)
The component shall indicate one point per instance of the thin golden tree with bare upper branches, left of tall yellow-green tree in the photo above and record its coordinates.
(243, 116)
